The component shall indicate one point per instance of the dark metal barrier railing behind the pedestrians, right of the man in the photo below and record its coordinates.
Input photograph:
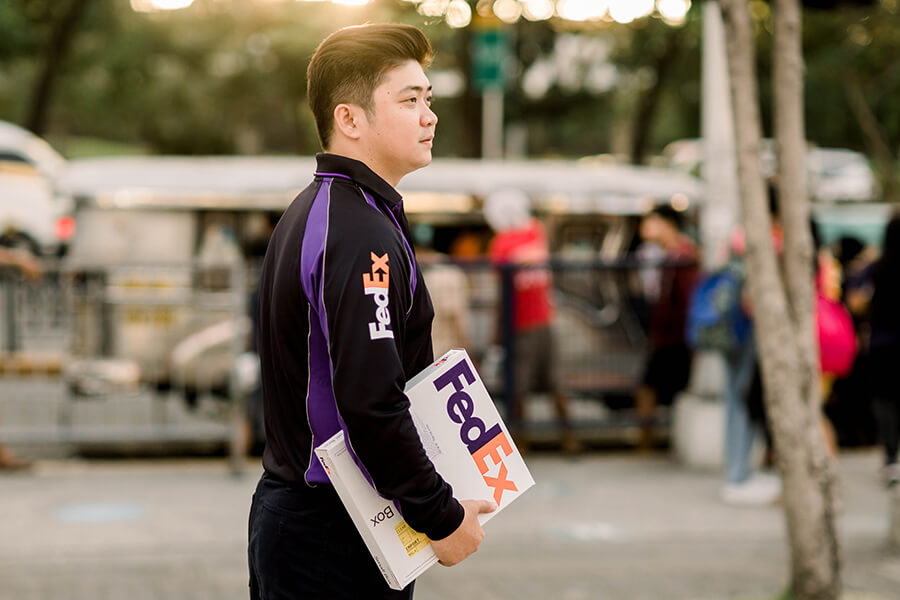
(600, 325)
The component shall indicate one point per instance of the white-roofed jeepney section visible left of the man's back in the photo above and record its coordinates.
(159, 265)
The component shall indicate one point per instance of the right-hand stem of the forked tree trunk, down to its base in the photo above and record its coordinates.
(808, 471)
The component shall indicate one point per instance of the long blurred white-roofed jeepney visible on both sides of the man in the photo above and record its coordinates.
(162, 244)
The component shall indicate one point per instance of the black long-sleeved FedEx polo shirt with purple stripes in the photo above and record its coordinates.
(344, 321)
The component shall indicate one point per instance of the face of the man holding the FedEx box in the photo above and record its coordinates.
(398, 134)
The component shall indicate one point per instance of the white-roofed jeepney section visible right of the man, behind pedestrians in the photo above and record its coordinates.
(591, 209)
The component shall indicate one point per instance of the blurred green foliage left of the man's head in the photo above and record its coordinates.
(204, 80)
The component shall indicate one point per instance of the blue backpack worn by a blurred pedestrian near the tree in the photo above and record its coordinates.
(715, 317)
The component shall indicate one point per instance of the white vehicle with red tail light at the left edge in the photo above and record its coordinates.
(34, 212)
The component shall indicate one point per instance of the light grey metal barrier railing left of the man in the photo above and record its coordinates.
(124, 356)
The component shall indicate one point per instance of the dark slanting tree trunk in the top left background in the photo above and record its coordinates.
(57, 46)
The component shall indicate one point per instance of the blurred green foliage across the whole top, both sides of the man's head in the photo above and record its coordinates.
(226, 77)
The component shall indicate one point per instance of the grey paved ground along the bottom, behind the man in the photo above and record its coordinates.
(604, 526)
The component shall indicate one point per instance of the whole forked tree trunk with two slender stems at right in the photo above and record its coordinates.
(783, 306)
